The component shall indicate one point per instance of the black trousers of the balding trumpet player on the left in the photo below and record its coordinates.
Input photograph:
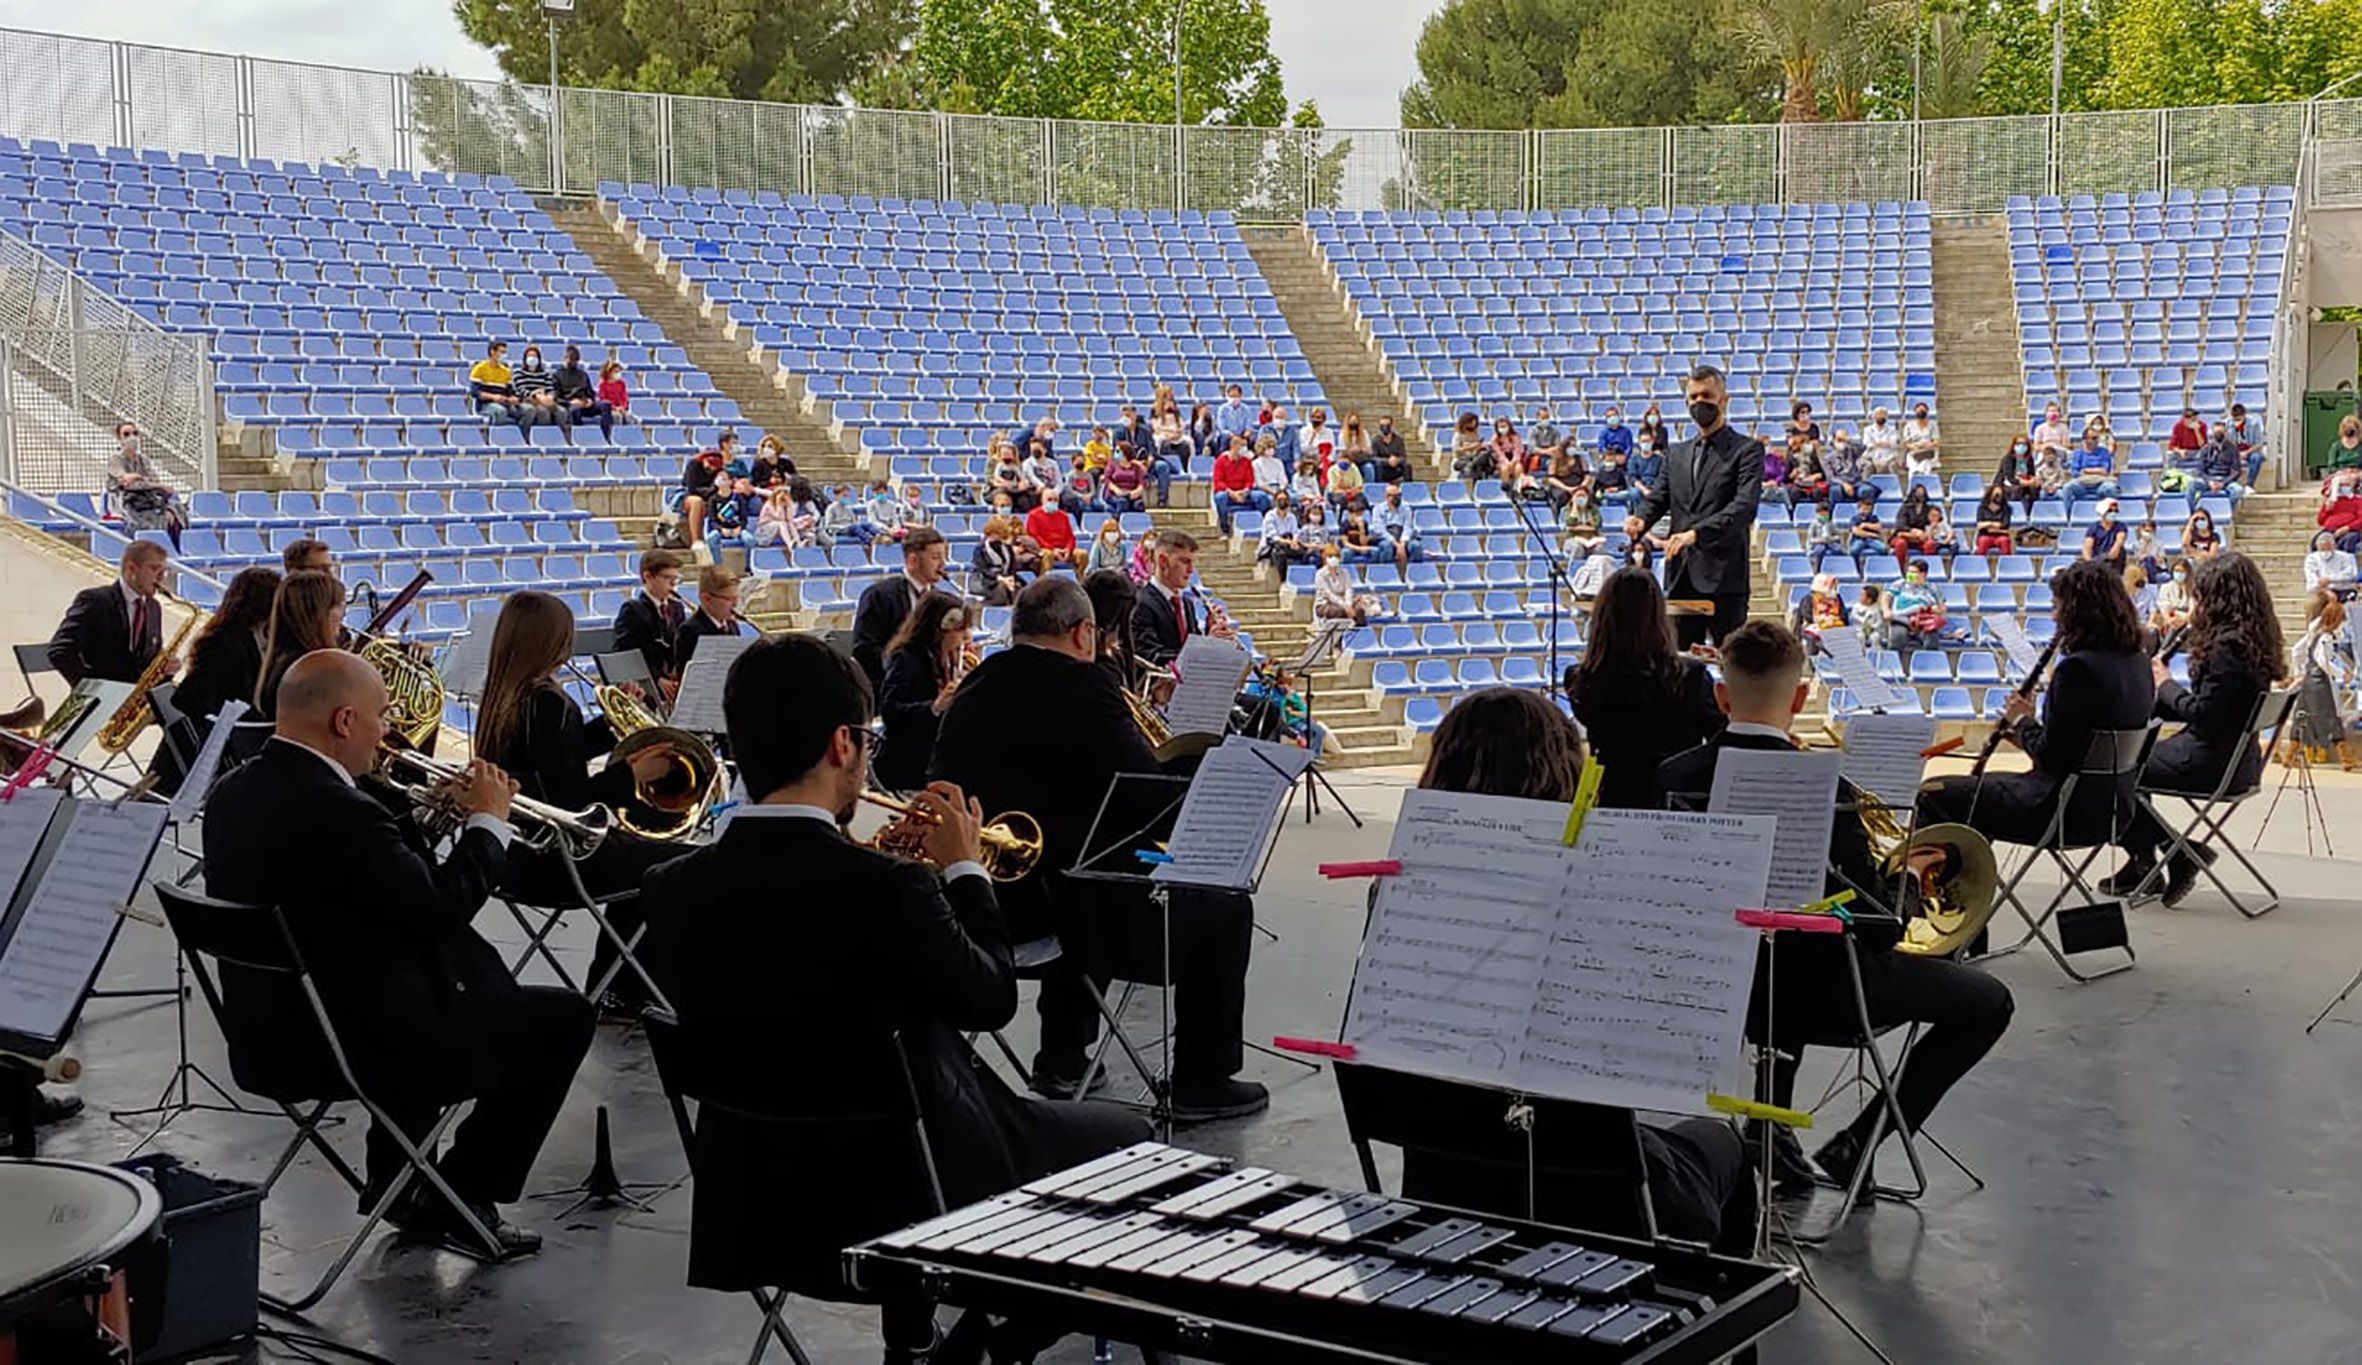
(533, 1062)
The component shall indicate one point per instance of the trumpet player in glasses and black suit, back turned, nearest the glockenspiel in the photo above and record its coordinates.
(852, 941)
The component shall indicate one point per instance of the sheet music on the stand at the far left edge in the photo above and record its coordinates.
(70, 915)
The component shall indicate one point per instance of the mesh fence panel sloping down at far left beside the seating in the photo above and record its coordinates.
(74, 363)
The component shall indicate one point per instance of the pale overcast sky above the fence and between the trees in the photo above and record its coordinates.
(1348, 55)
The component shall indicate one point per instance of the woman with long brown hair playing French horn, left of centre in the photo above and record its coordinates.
(537, 733)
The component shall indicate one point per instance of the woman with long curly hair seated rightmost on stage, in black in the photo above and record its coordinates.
(2236, 658)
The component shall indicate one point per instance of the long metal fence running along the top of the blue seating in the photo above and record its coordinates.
(159, 98)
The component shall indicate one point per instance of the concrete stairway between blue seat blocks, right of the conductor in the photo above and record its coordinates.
(1978, 372)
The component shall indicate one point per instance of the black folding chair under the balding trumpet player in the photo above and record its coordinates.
(254, 977)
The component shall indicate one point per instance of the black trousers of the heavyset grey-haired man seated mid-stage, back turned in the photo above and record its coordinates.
(1123, 939)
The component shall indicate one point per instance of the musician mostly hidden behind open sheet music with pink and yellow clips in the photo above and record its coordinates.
(1515, 743)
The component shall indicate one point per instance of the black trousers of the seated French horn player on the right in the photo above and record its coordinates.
(1962, 1007)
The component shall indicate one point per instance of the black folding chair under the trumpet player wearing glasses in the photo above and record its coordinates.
(868, 1095)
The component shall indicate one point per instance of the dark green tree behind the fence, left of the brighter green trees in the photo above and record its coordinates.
(800, 51)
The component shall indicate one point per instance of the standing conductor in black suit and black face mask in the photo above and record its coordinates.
(1711, 488)
